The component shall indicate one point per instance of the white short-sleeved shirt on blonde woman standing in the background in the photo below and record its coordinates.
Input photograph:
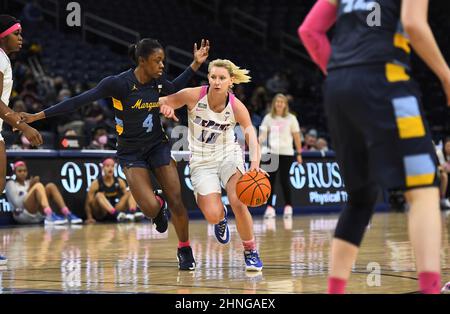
(280, 133)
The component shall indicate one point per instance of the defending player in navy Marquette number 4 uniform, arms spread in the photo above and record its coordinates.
(142, 142)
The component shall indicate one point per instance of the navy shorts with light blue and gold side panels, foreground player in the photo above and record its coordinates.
(377, 127)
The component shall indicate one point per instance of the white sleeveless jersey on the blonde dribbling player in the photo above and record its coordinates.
(211, 134)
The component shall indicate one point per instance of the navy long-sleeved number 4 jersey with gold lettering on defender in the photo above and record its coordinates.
(136, 106)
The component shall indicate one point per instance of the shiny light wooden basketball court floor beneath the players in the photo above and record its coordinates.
(134, 258)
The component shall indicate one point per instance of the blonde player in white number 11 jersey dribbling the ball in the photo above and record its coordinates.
(217, 159)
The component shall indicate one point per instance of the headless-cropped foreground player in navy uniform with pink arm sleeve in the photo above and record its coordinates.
(376, 121)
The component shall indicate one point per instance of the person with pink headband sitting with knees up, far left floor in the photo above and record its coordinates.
(29, 199)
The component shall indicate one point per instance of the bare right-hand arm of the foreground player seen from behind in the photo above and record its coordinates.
(415, 22)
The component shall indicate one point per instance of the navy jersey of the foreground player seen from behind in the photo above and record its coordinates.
(358, 40)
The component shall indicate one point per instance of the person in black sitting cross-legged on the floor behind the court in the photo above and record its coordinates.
(108, 199)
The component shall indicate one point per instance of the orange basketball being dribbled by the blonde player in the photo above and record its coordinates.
(253, 189)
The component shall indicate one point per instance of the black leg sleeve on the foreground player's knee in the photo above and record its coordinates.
(356, 215)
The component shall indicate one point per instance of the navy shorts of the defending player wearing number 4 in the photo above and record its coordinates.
(145, 157)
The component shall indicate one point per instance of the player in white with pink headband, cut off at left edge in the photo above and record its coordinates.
(10, 41)
